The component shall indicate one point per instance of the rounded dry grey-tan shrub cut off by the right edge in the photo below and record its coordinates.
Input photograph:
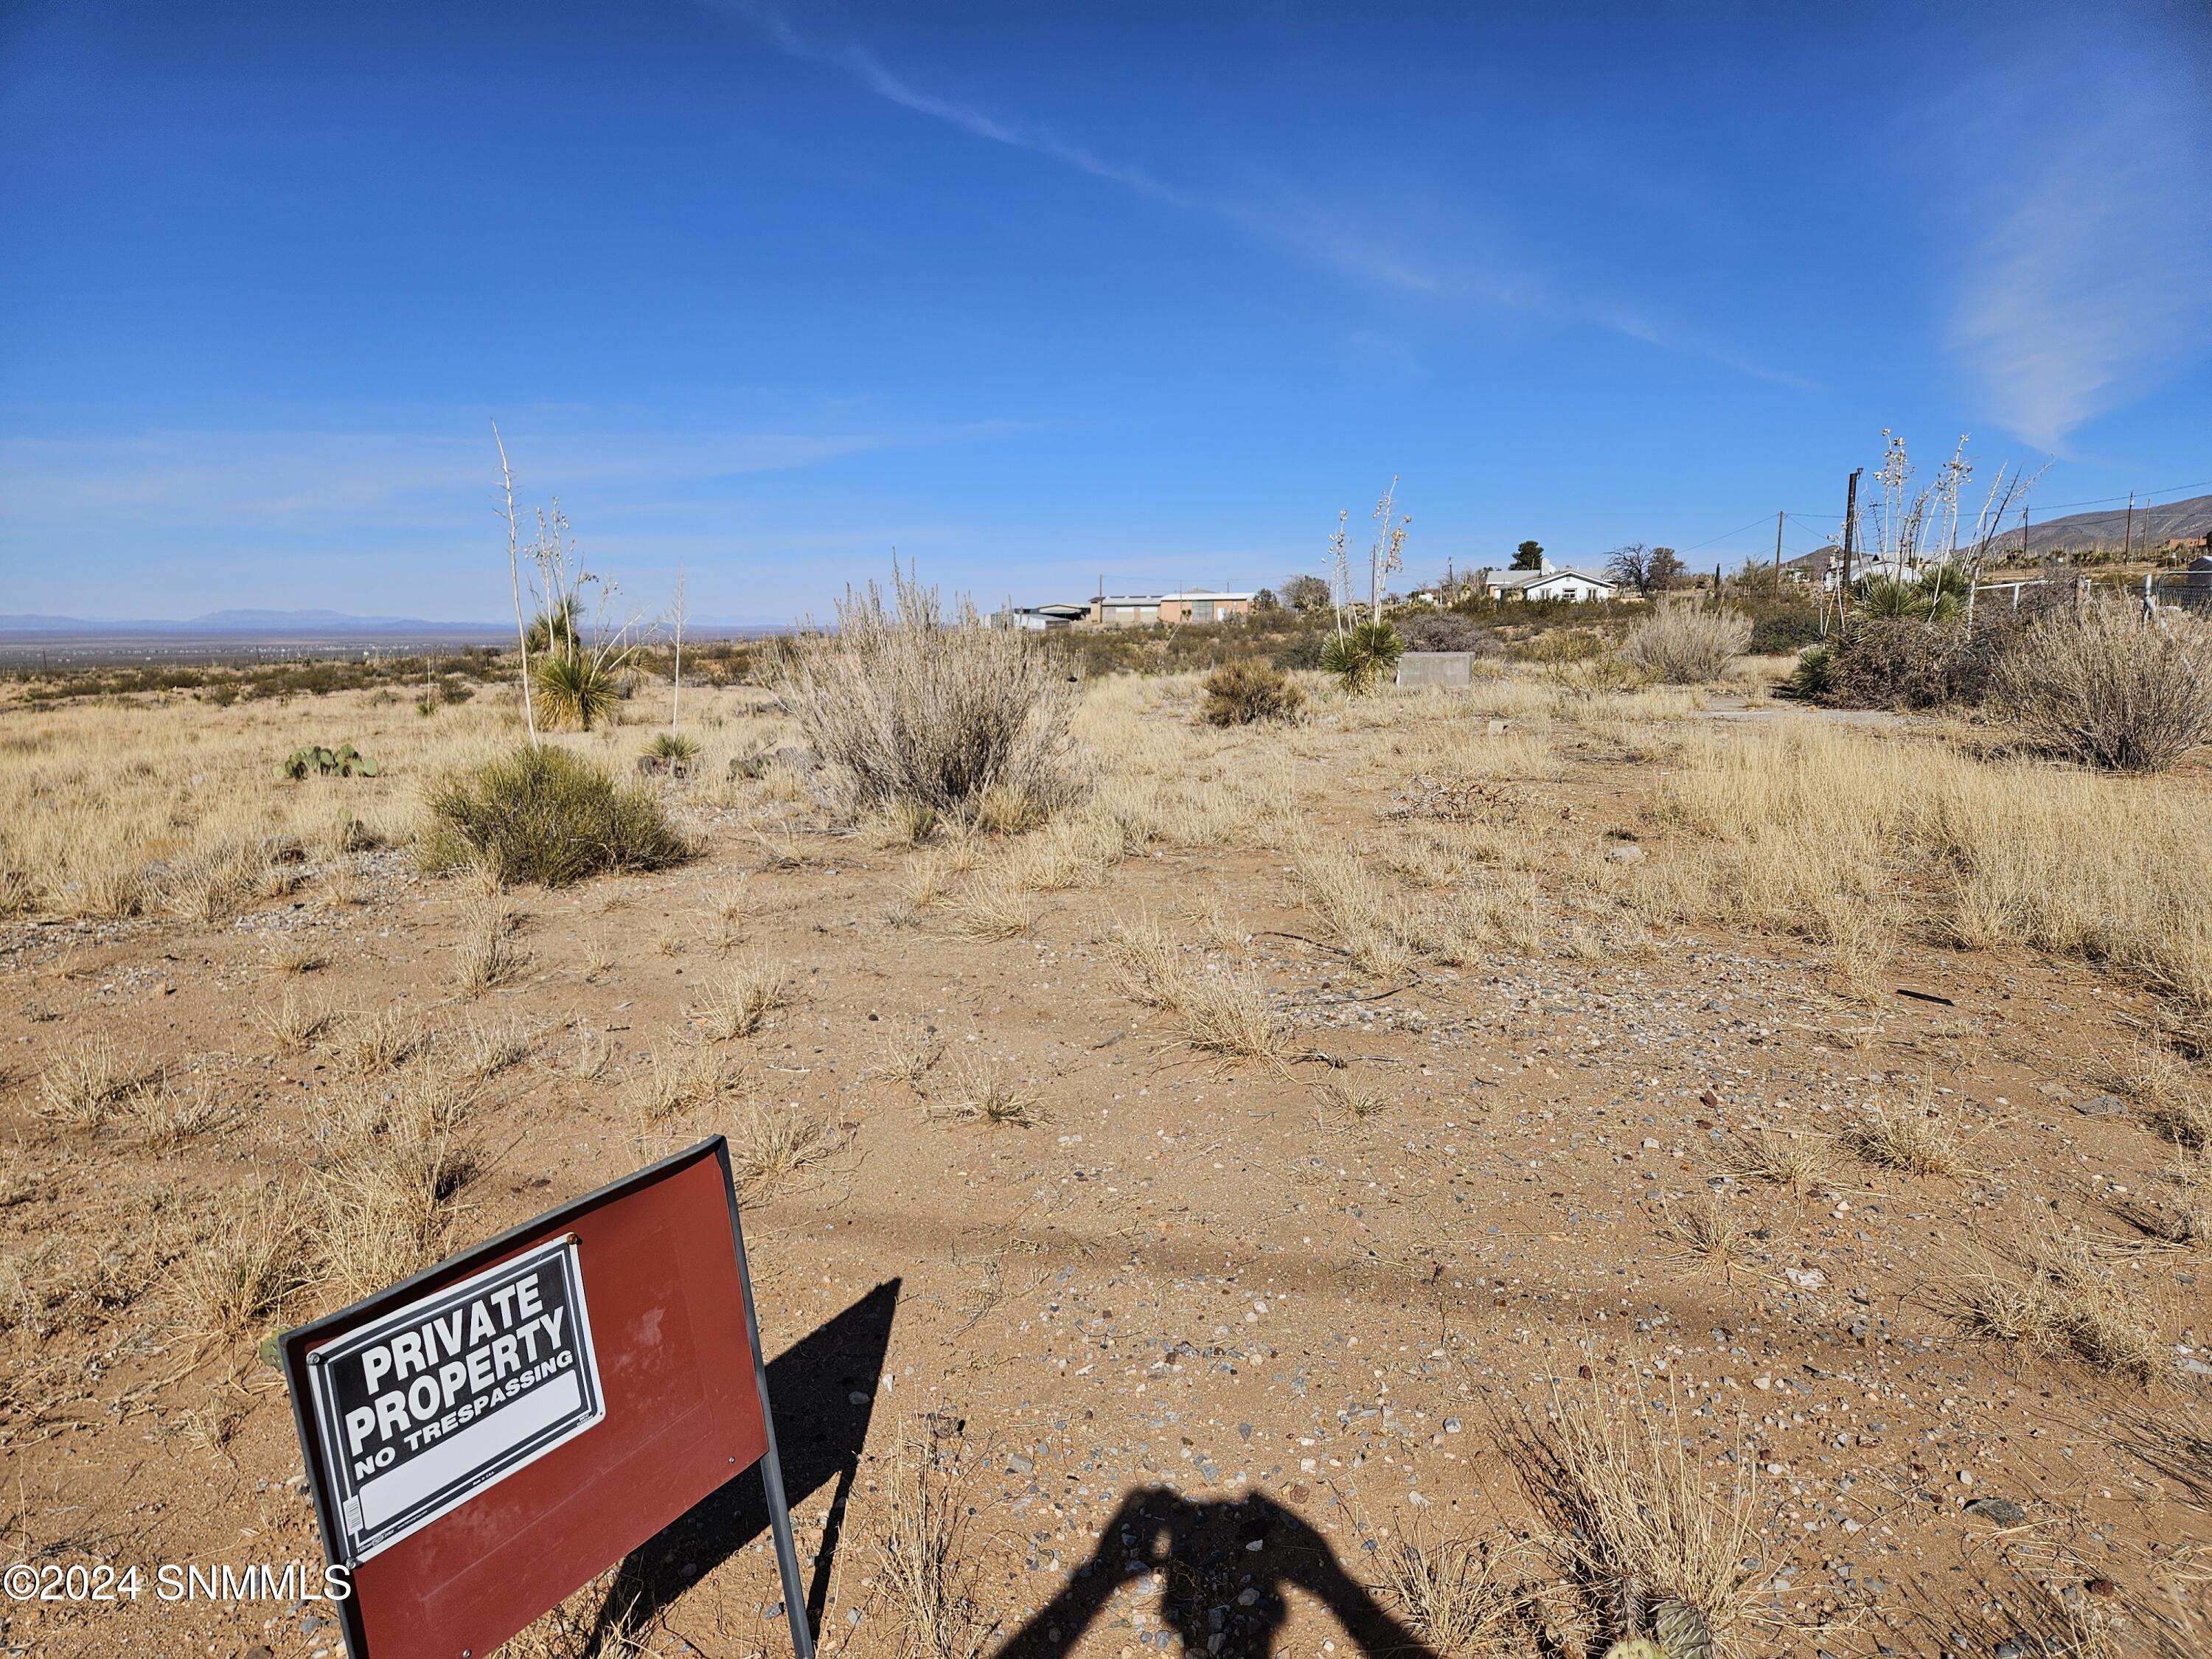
(2111, 689)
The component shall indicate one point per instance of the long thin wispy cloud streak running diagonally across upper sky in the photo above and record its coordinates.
(1277, 218)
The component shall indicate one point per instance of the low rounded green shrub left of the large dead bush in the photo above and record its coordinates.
(545, 817)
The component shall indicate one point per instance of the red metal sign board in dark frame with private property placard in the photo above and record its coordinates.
(494, 1432)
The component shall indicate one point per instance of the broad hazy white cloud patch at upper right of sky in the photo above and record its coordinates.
(2091, 280)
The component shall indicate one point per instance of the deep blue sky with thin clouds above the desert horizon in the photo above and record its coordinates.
(1043, 293)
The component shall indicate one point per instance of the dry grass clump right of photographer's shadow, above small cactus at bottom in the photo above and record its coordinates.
(1638, 1521)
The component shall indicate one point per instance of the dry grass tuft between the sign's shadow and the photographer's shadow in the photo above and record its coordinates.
(921, 1552)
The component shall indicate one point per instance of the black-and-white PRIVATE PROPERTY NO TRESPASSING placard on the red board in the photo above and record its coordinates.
(444, 1397)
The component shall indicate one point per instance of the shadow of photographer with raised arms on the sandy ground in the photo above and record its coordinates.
(1224, 1569)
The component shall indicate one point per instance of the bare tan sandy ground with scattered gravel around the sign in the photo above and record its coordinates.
(1280, 1315)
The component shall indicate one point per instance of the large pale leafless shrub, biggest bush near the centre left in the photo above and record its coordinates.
(910, 707)
